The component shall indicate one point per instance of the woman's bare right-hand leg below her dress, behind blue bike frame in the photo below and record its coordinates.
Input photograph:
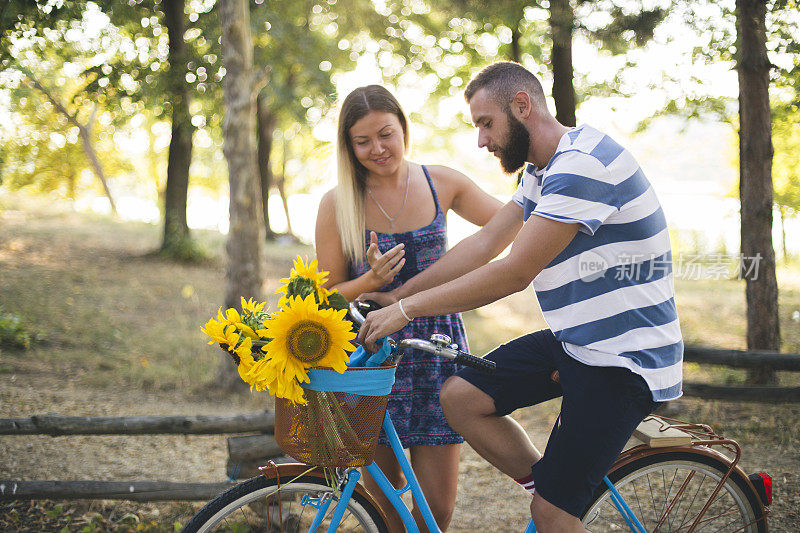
(436, 468)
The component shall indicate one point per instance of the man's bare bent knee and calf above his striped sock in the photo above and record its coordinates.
(498, 439)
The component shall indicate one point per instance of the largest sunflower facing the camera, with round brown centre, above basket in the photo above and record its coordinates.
(303, 336)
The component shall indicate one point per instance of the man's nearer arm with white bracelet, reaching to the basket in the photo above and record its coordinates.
(539, 241)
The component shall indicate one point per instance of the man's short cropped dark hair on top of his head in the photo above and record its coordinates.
(502, 80)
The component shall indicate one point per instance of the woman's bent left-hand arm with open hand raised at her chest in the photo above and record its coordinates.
(330, 256)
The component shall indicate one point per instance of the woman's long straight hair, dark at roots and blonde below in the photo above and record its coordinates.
(352, 175)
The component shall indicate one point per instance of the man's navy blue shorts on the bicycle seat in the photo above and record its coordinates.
(601, 407)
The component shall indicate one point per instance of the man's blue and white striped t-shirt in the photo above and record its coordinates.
(609, 295)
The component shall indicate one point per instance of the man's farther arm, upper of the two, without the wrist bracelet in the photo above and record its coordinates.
(472, 252)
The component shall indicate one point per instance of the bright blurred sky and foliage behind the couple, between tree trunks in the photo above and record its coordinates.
(691, 162)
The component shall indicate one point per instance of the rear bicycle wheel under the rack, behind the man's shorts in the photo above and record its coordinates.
(650, 483)
